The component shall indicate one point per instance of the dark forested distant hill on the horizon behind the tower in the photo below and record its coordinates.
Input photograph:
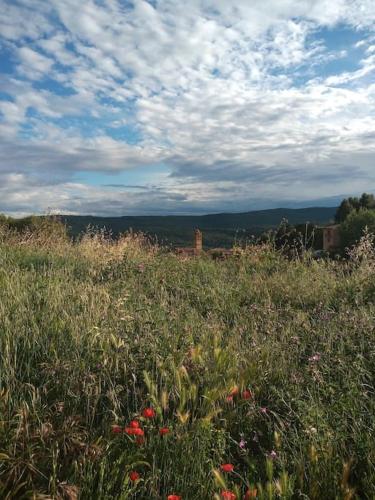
(218, 229)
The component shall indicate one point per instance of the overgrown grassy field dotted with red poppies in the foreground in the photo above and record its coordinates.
(255, 361)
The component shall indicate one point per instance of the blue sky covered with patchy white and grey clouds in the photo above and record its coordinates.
(120, 107)
